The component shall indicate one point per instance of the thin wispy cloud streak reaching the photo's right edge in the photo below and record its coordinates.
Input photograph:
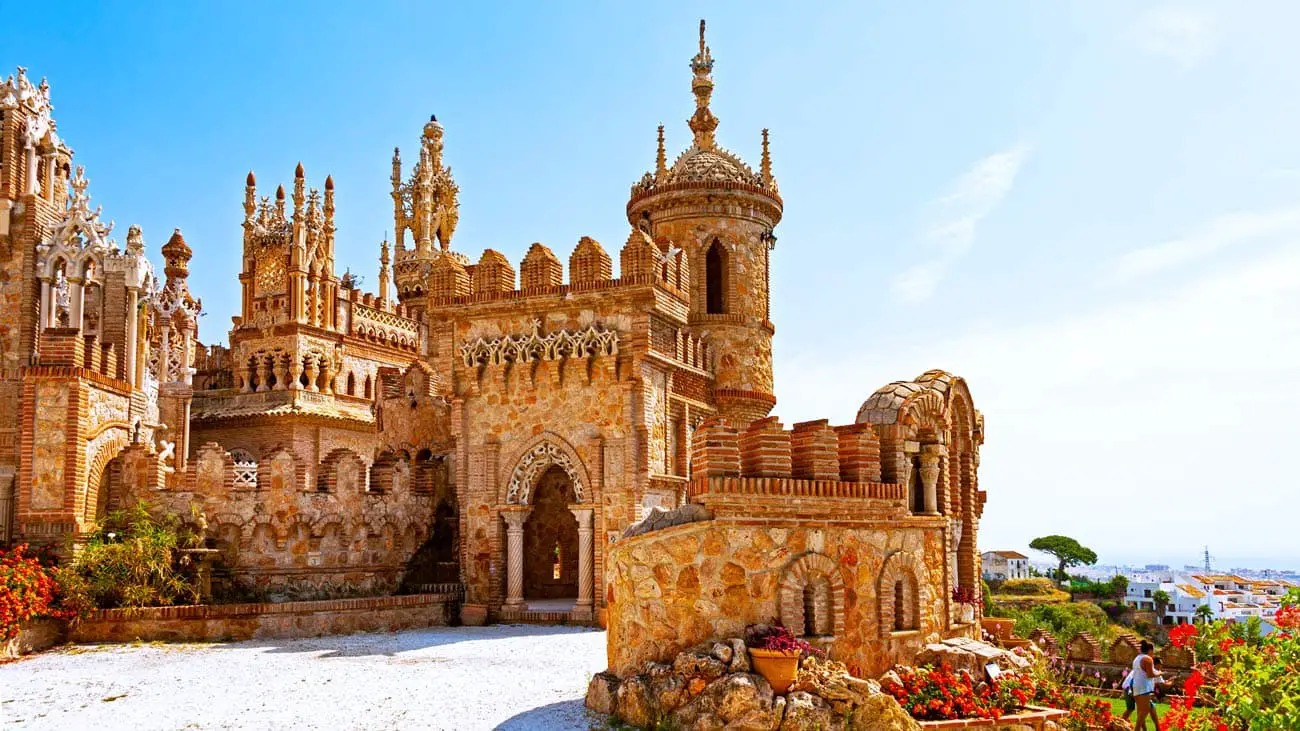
(1214, 237)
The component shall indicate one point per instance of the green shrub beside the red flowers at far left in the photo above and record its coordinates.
(132, 559)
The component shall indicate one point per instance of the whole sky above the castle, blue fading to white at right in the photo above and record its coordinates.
(1089, 210)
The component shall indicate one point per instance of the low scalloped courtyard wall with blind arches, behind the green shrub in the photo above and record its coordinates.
(285, 535)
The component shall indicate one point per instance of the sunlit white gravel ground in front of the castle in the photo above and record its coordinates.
(457, 678)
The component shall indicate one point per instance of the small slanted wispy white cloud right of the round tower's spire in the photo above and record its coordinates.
(955, 219)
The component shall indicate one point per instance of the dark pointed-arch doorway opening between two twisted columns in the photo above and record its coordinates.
(551, 540)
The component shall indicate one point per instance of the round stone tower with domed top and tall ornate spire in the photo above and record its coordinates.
(721, 214)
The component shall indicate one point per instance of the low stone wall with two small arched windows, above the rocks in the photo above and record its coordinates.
(670, 590)
